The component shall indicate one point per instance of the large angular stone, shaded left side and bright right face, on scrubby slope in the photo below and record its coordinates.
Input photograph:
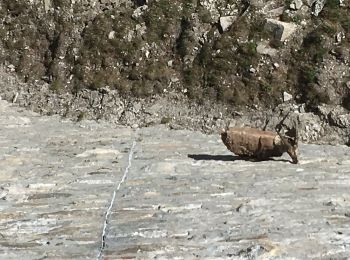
(281, 30)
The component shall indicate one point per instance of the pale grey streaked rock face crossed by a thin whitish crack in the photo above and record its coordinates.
(91, 190)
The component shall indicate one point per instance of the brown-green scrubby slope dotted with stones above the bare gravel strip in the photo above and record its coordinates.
(146, 48)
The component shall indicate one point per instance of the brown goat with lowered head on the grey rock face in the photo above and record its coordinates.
(259, 144)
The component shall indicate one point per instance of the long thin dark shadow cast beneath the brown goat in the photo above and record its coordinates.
(228, 158)
